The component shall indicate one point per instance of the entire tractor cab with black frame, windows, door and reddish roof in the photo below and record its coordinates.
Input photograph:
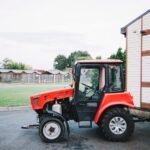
(93, 79)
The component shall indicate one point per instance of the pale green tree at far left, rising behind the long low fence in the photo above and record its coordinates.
(10, 64)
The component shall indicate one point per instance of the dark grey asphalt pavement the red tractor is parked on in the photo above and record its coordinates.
(12, 137)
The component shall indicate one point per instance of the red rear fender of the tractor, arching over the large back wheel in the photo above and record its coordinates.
(112, 99)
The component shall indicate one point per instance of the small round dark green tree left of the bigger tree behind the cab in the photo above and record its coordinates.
(60, 62)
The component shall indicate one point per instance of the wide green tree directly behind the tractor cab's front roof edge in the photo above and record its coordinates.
(78, 55)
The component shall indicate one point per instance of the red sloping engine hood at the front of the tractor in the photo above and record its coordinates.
(46, 97)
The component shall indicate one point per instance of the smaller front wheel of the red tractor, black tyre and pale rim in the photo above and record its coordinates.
(53, 124)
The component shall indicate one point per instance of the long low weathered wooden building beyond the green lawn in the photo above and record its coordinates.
(34, 76)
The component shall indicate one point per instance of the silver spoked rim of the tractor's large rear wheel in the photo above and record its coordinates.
(117, 125)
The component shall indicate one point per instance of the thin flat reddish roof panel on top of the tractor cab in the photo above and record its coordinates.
(102, 61)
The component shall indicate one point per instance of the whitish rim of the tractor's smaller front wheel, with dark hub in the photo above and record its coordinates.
(51, 130)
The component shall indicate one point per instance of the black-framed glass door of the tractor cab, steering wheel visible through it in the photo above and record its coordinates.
(88, 92)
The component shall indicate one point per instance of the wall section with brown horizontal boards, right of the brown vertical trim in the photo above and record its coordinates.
(145, 98)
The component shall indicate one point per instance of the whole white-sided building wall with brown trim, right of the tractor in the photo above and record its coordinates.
(138, 61)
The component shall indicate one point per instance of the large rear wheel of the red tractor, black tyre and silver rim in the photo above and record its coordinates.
(117, 133)
